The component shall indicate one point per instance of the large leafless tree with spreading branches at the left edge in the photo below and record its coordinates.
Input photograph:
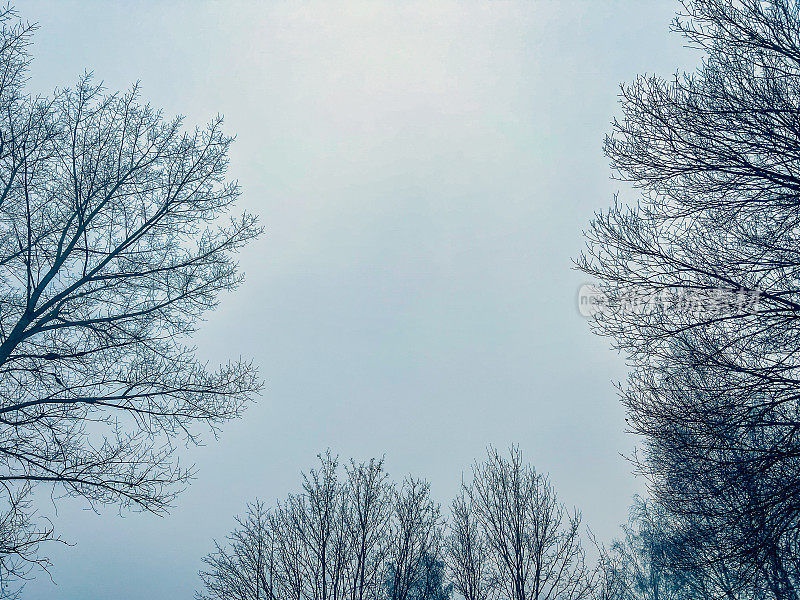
(111, 248)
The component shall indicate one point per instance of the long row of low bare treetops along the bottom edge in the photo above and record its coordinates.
(353, 533)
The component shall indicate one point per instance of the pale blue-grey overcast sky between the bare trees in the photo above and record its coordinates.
(424, 171)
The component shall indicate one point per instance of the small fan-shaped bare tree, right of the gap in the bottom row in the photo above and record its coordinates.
(533, 541)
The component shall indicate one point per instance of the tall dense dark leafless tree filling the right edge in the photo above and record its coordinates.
(714, 386)
